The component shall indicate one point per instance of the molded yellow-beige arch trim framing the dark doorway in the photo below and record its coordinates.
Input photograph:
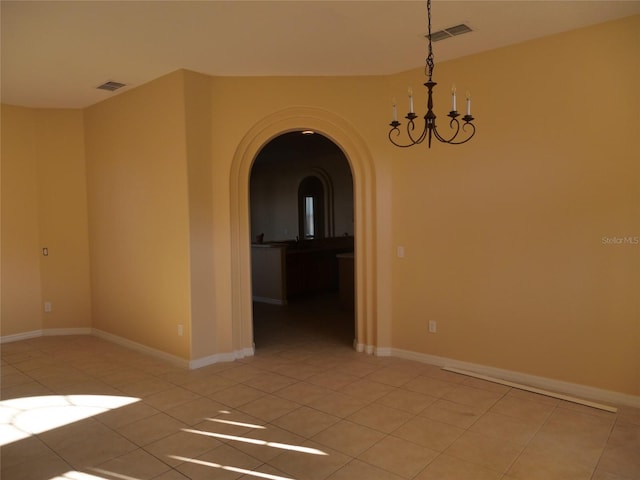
(372, 305)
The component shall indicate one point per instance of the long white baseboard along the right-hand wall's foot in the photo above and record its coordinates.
(574, 389)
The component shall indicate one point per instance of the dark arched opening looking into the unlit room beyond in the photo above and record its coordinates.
(301, 194)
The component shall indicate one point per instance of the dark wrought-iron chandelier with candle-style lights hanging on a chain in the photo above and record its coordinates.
(460, 132)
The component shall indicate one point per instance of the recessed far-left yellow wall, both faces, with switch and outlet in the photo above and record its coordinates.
(44, 205)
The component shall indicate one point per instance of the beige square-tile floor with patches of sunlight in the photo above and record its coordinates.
(305, 407)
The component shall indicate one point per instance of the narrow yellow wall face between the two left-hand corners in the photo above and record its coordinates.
(63, 218)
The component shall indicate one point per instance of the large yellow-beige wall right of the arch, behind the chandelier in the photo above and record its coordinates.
(506, 237)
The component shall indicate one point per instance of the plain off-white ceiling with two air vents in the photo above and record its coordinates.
(55, 53)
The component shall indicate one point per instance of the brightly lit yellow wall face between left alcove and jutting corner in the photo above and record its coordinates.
(137, 185)
